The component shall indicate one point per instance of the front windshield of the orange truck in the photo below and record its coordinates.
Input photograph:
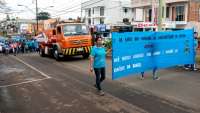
(69, 30)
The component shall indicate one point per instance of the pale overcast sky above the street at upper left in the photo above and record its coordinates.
(61, 8)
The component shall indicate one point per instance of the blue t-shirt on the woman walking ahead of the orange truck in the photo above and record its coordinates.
(99, 55)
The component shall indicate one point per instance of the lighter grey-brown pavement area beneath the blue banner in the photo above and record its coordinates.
(175, 84)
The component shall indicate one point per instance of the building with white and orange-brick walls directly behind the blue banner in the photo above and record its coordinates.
(177, 14)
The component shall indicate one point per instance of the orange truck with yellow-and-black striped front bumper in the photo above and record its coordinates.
(66, 39)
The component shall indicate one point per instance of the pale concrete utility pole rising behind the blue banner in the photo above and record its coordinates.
(162, 14)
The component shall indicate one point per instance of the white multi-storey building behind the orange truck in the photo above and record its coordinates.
(106, 11)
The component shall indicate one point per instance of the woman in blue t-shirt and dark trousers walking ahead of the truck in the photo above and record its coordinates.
(98, 63)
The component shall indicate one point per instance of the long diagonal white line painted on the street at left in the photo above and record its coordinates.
(30, 66)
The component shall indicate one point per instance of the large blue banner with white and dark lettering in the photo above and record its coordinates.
(135, 52)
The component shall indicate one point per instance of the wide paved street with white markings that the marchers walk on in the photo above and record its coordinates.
(31, 84)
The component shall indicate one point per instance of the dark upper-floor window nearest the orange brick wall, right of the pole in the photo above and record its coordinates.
(180, 13)
